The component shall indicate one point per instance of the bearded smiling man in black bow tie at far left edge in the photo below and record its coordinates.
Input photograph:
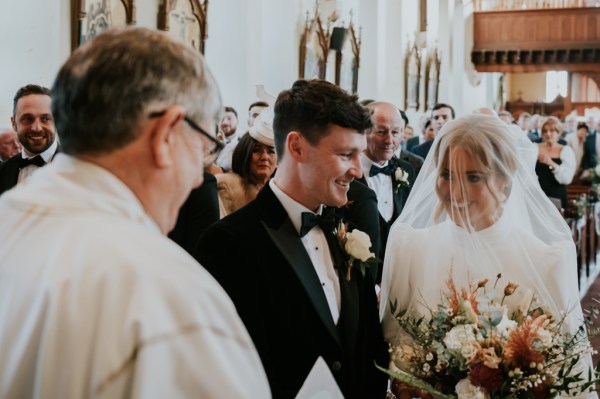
(33, 121)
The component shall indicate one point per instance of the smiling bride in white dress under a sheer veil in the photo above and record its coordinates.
(477, 210)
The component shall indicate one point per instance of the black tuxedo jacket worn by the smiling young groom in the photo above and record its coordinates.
(258, 258)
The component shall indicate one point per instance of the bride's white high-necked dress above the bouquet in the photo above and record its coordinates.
(420, 261)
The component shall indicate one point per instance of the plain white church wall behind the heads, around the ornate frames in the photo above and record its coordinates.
(256, 42)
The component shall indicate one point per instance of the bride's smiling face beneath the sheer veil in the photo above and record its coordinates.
(468, 191)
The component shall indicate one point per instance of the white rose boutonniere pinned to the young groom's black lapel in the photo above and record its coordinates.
(356, 246)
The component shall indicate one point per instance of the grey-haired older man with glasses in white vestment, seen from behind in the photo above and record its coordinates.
(97, 301)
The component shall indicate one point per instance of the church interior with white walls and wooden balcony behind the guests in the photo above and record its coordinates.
(539, 58)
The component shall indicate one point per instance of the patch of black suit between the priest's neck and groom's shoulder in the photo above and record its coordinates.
(198, 212)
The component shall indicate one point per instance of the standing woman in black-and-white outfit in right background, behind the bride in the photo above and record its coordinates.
(556, 163)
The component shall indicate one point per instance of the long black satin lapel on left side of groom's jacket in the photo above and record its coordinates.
(280, 229)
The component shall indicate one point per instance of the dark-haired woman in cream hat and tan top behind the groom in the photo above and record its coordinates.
(254, 161)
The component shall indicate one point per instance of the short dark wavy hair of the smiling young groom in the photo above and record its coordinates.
(310, 107)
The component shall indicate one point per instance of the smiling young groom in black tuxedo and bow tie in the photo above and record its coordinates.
(293, 297)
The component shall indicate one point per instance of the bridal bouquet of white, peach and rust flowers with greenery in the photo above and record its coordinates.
(474, 345)
